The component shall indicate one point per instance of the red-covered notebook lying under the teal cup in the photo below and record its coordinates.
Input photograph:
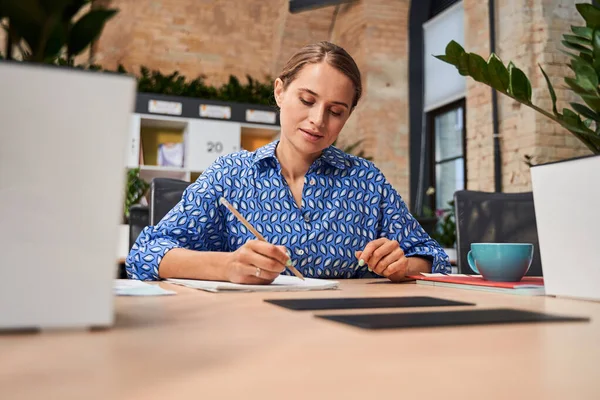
(529, 285)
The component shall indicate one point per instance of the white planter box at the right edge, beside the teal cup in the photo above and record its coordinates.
(566, 196)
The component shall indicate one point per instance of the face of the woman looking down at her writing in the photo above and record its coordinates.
(314, 107)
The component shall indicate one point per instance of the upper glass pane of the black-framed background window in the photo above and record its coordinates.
(449, 134)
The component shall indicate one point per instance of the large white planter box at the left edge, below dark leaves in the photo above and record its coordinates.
(63, 135)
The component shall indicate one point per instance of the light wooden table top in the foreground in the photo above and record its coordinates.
(199, 345)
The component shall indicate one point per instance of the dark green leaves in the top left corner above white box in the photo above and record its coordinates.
(46, 31)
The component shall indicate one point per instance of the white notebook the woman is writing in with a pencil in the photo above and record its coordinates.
(282, 283)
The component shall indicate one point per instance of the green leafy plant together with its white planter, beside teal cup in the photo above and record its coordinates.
(566, 193)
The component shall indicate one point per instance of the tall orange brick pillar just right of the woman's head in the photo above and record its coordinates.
(383, 117)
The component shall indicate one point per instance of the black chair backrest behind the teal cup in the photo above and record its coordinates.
(495, 218)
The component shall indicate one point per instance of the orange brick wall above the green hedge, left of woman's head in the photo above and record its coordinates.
(214, 38)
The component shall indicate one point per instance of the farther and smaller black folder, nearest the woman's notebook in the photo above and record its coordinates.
(363, 302)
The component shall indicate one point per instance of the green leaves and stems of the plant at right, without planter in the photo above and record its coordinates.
(583, 49)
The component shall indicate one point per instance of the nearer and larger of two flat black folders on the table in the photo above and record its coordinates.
(447, 318)
